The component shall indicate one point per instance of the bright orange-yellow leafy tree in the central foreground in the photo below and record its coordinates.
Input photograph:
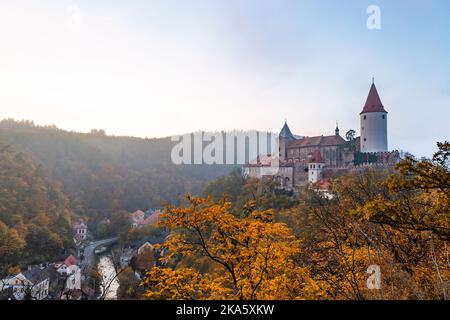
(253, 256)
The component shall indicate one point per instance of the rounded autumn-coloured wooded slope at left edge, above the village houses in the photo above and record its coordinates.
(35, 218)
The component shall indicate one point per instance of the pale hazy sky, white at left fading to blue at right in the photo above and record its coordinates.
(157, 68)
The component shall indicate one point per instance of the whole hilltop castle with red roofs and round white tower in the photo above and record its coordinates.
(314, 160)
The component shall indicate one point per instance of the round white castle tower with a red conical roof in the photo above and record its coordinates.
(373, 124)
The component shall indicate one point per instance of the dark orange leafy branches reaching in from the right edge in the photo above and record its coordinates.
(419, 196)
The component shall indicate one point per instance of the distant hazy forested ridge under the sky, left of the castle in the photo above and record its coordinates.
(101, 174)
